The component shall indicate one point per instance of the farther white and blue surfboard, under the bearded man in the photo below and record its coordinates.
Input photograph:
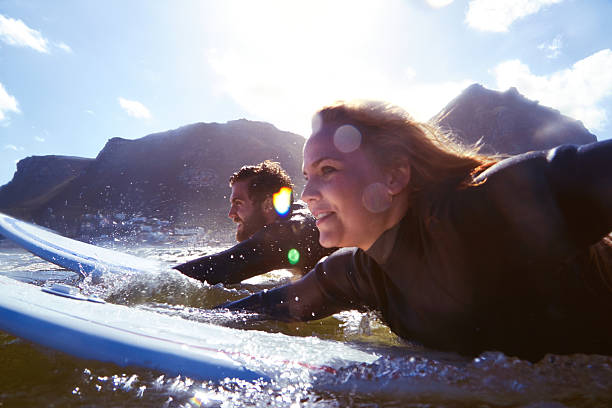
(71, 254)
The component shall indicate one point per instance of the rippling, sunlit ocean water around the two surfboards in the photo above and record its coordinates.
(405, 374)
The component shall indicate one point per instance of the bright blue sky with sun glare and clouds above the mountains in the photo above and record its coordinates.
(74, 73)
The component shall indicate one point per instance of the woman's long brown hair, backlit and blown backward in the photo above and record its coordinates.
(393, 138)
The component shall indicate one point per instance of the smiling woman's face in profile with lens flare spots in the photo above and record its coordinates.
(345, 189)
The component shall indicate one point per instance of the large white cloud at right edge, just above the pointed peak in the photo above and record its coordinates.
(577, 91)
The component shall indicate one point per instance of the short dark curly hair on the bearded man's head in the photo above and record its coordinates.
(265, 179)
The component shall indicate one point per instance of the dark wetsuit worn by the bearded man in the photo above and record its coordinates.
(266, 250)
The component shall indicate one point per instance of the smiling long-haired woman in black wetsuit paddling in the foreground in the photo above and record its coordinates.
(456, 250)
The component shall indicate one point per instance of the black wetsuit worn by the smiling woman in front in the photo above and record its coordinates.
(502, 265)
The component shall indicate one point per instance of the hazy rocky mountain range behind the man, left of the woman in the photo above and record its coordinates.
(178, 178)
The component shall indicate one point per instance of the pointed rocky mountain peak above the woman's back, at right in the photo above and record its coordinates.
(507, 122)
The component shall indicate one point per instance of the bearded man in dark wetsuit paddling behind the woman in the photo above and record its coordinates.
(269, 238)
